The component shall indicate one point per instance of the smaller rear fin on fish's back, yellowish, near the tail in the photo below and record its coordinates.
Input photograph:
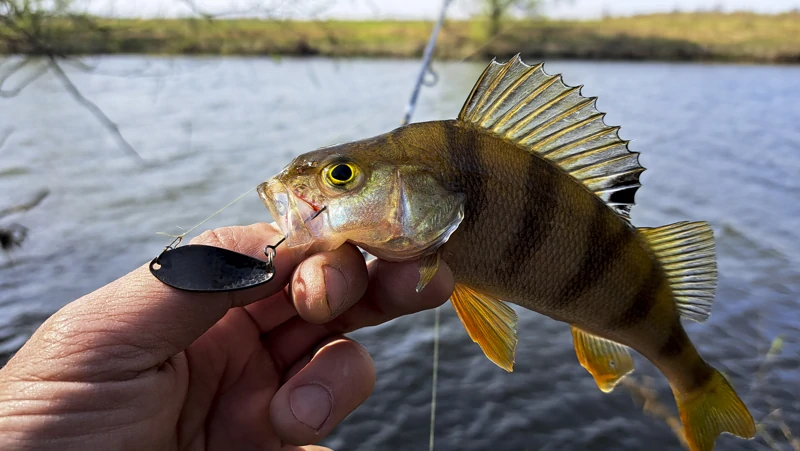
(686, 252)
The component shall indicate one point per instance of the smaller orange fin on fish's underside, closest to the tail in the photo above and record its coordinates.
(607, 361)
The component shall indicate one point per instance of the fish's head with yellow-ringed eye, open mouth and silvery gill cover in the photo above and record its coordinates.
(392, 207)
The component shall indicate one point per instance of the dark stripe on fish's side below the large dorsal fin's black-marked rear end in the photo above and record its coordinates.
(603, 246)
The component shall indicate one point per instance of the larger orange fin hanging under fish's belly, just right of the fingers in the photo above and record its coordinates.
(489, 322)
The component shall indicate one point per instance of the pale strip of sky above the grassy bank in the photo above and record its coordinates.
(420, 9)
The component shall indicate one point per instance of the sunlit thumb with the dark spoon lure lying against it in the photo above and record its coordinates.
(136, 323)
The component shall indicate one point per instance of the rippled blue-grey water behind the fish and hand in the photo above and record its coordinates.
(721, 143)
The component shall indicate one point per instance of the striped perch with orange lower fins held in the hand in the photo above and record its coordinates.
(526, 196)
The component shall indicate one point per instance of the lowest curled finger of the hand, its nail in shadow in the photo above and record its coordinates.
(338, 379)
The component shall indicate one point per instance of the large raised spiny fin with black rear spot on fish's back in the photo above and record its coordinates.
(538, 112)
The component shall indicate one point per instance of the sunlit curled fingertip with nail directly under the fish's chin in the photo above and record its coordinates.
(326, 284)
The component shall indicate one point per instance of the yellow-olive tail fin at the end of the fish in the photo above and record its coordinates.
(711, 410)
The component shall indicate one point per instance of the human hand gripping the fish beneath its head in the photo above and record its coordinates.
(139, 365)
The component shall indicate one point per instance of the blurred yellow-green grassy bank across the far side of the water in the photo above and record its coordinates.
(679, 36)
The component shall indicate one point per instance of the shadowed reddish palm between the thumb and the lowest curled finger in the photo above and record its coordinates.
(229, 380)
